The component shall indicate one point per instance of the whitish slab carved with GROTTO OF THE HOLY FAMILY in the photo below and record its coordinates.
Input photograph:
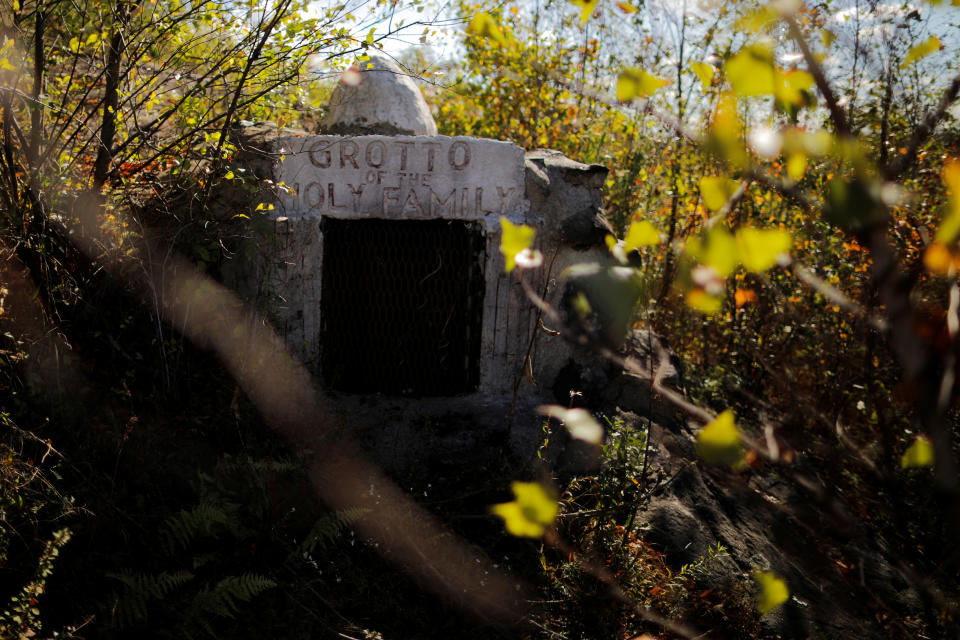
(402, 177)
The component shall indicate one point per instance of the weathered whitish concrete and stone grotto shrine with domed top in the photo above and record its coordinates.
(382, 266)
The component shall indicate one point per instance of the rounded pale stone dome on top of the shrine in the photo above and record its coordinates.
(385, 101)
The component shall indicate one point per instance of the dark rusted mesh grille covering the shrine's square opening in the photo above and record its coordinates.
(401, 306)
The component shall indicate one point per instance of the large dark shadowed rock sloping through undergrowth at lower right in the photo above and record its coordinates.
(768, 524)
